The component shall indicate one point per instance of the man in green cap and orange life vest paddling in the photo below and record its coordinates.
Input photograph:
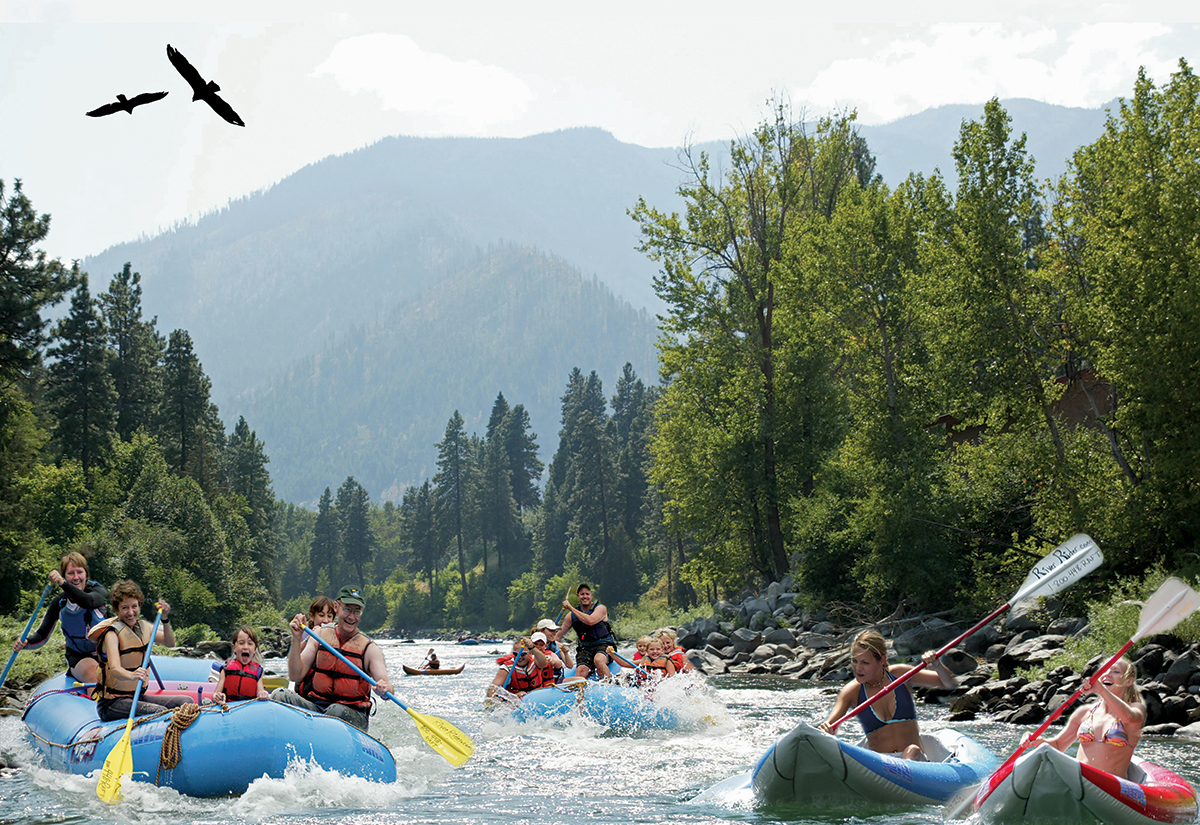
(325, 683)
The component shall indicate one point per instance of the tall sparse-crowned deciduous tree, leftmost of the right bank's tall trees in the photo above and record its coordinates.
(722, 350)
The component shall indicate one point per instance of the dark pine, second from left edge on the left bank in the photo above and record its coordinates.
(81, 390)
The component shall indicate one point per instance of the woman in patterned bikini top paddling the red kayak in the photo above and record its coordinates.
(1108, 731)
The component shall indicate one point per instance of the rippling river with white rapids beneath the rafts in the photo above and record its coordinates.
(520, 774)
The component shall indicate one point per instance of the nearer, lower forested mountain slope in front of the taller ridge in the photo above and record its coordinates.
(374, 405)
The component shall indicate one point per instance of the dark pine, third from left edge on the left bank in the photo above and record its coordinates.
(139, 348)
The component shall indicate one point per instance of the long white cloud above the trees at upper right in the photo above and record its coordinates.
(944, 64)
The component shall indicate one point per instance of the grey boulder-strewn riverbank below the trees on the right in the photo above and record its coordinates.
(767, 634)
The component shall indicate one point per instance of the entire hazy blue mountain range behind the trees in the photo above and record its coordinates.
(350, 310)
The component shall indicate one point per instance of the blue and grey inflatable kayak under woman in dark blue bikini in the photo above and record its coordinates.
(811, 767)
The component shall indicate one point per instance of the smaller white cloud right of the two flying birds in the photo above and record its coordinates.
(458, 97)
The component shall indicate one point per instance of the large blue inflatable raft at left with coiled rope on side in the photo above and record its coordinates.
(223, 752)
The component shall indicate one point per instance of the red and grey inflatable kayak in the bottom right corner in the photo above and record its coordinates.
(1049, 786)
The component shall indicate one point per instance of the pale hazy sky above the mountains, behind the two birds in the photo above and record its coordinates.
(316, 80)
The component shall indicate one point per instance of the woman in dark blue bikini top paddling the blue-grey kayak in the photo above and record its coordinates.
(891, 724)
